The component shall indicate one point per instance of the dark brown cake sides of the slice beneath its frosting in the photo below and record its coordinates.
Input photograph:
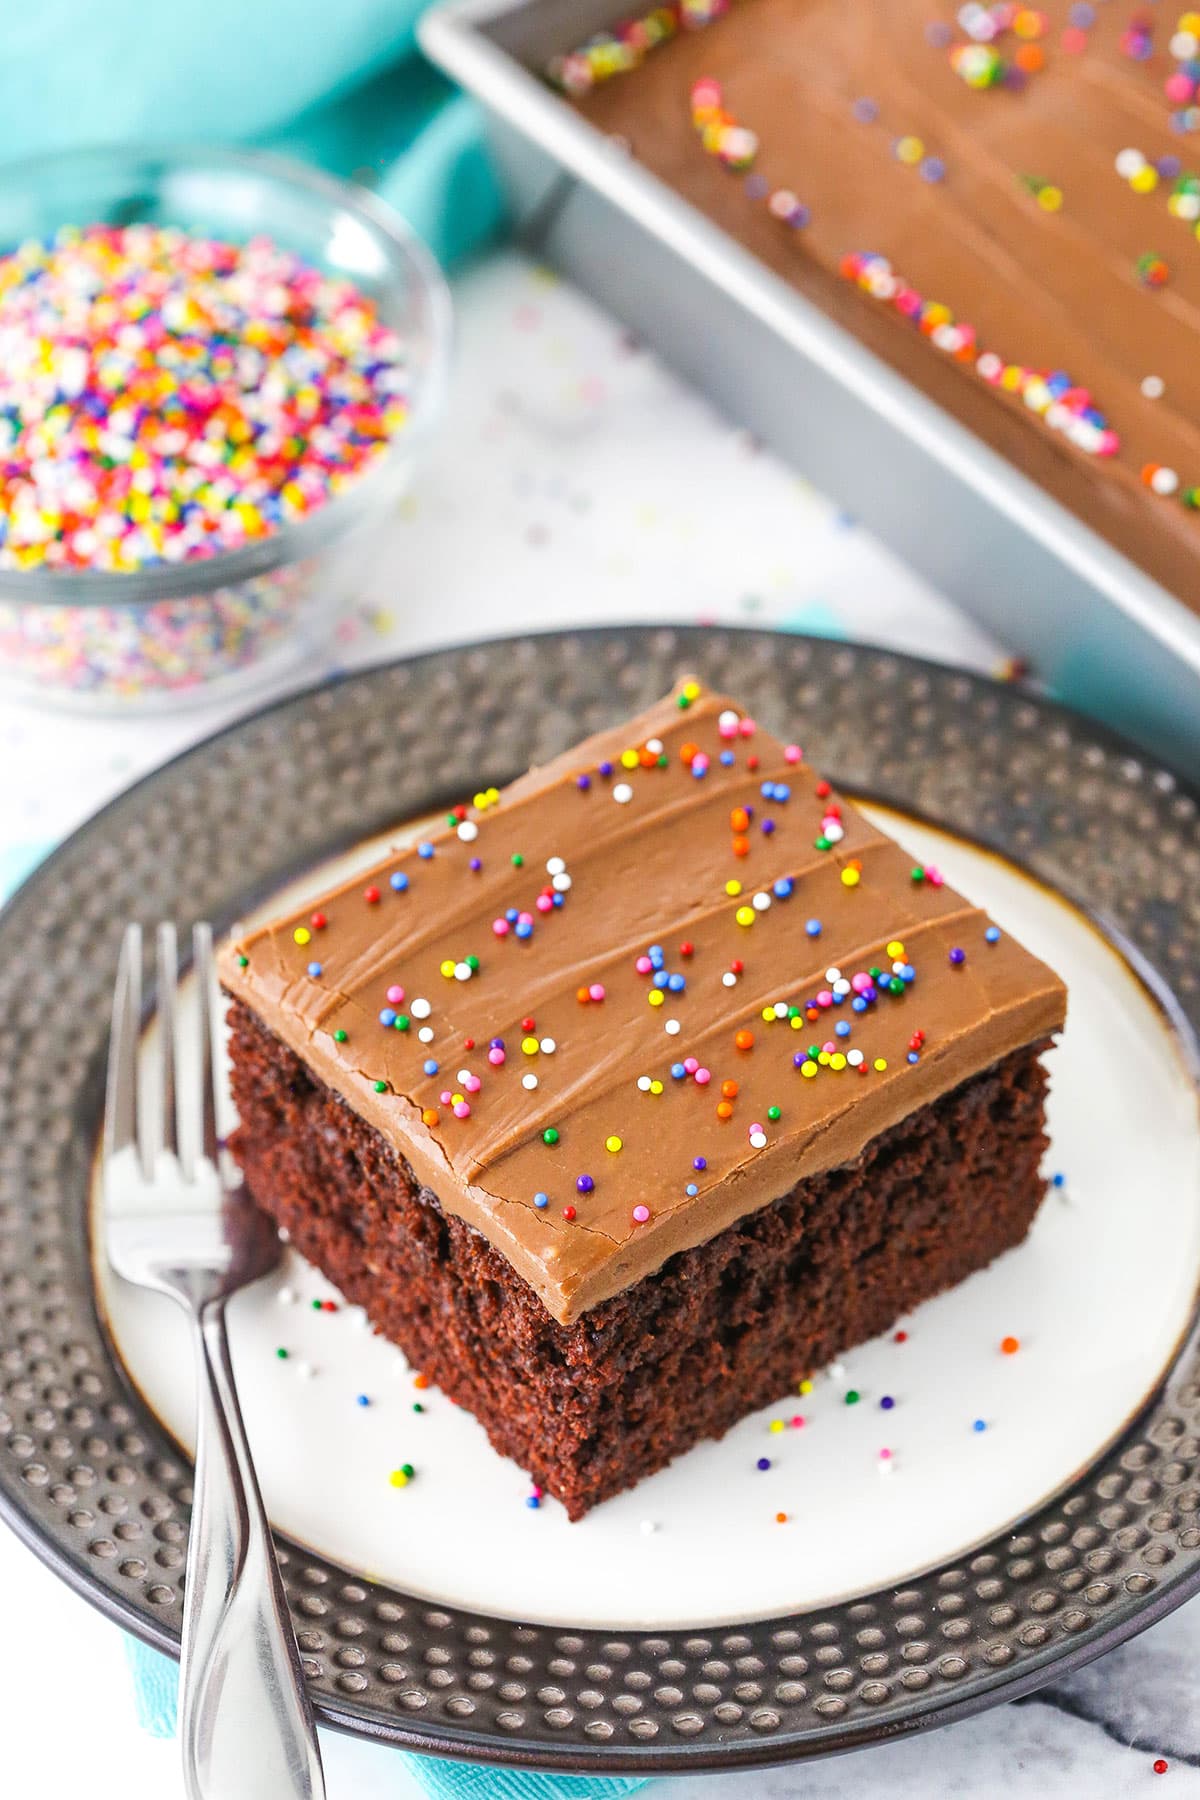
(688, 1351)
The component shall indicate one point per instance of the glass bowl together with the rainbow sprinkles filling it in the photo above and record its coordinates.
(217, 372)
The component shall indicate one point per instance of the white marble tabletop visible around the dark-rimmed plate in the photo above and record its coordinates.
(575, 481)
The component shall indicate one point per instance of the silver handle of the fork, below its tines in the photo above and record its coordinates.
(246, 1718)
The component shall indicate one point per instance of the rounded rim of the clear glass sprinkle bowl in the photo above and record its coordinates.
(303, 537)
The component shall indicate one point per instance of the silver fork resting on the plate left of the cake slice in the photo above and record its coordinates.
(177, 1221)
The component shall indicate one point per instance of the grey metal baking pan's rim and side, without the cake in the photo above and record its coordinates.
(1097, 629)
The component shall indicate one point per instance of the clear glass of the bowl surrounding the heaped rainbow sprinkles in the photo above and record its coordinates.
(235, 620)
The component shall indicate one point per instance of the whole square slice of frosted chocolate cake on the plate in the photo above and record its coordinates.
(641, 1090)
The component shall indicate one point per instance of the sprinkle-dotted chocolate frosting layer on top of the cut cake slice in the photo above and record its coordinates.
(553, 1084)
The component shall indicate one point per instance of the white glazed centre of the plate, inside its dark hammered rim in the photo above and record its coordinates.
(701, 1542)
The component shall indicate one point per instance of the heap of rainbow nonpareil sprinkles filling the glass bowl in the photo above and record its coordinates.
(168, 397)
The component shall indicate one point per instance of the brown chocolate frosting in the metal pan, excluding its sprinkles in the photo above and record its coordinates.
(1050, 291)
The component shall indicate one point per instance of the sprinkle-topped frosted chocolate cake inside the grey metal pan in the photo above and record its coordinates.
(1003, 249)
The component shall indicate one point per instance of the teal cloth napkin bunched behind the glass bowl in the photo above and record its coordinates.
(339, 85)
